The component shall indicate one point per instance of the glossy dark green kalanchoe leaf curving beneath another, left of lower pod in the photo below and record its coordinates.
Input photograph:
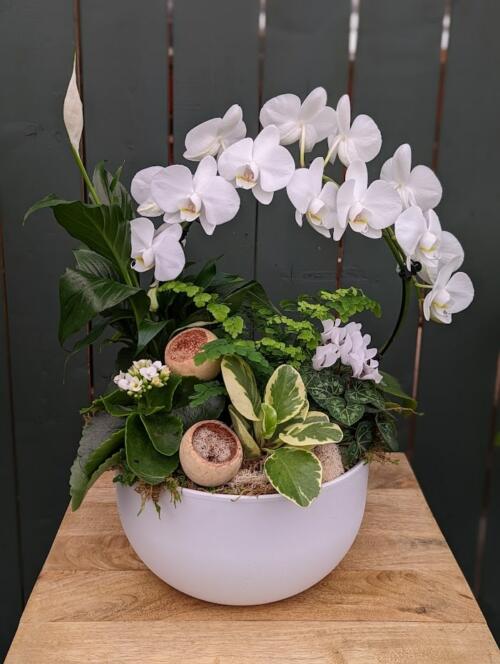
(142, 458)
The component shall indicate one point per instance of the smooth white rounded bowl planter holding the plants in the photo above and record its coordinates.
(248, 549)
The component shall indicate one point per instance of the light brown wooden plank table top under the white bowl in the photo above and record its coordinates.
(398, 597)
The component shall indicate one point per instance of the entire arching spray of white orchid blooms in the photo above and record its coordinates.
(403, 197)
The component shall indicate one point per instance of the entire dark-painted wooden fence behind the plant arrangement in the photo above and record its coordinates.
(150, 71)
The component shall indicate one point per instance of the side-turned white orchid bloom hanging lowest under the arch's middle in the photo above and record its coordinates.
(311, 198)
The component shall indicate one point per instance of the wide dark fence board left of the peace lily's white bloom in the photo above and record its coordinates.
(35, 159)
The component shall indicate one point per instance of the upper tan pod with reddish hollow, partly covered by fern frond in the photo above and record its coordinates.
(181, 350)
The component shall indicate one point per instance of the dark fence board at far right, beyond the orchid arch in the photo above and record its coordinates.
(459, 361)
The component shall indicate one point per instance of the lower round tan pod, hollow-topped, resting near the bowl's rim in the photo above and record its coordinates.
(210, 453)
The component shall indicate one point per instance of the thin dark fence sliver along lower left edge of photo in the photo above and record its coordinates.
(10, 576)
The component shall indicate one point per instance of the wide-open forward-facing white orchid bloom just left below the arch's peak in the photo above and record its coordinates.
(262, 165)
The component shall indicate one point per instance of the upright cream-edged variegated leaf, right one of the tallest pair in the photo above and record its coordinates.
(285, 392)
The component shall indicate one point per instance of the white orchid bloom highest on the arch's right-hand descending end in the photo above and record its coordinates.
(417, 186)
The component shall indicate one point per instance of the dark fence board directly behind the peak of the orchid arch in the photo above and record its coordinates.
(306, 46)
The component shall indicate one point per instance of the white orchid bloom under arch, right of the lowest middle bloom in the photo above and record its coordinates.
(367, 209)
